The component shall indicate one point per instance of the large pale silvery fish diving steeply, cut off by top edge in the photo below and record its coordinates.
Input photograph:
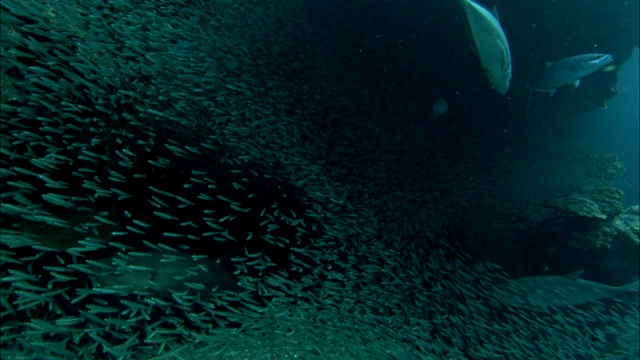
(490, 43)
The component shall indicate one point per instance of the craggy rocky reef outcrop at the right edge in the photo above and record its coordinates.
(589, 229)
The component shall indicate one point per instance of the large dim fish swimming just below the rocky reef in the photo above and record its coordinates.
(565, 290)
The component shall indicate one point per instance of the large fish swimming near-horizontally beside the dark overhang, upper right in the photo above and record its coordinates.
(570, 71)
